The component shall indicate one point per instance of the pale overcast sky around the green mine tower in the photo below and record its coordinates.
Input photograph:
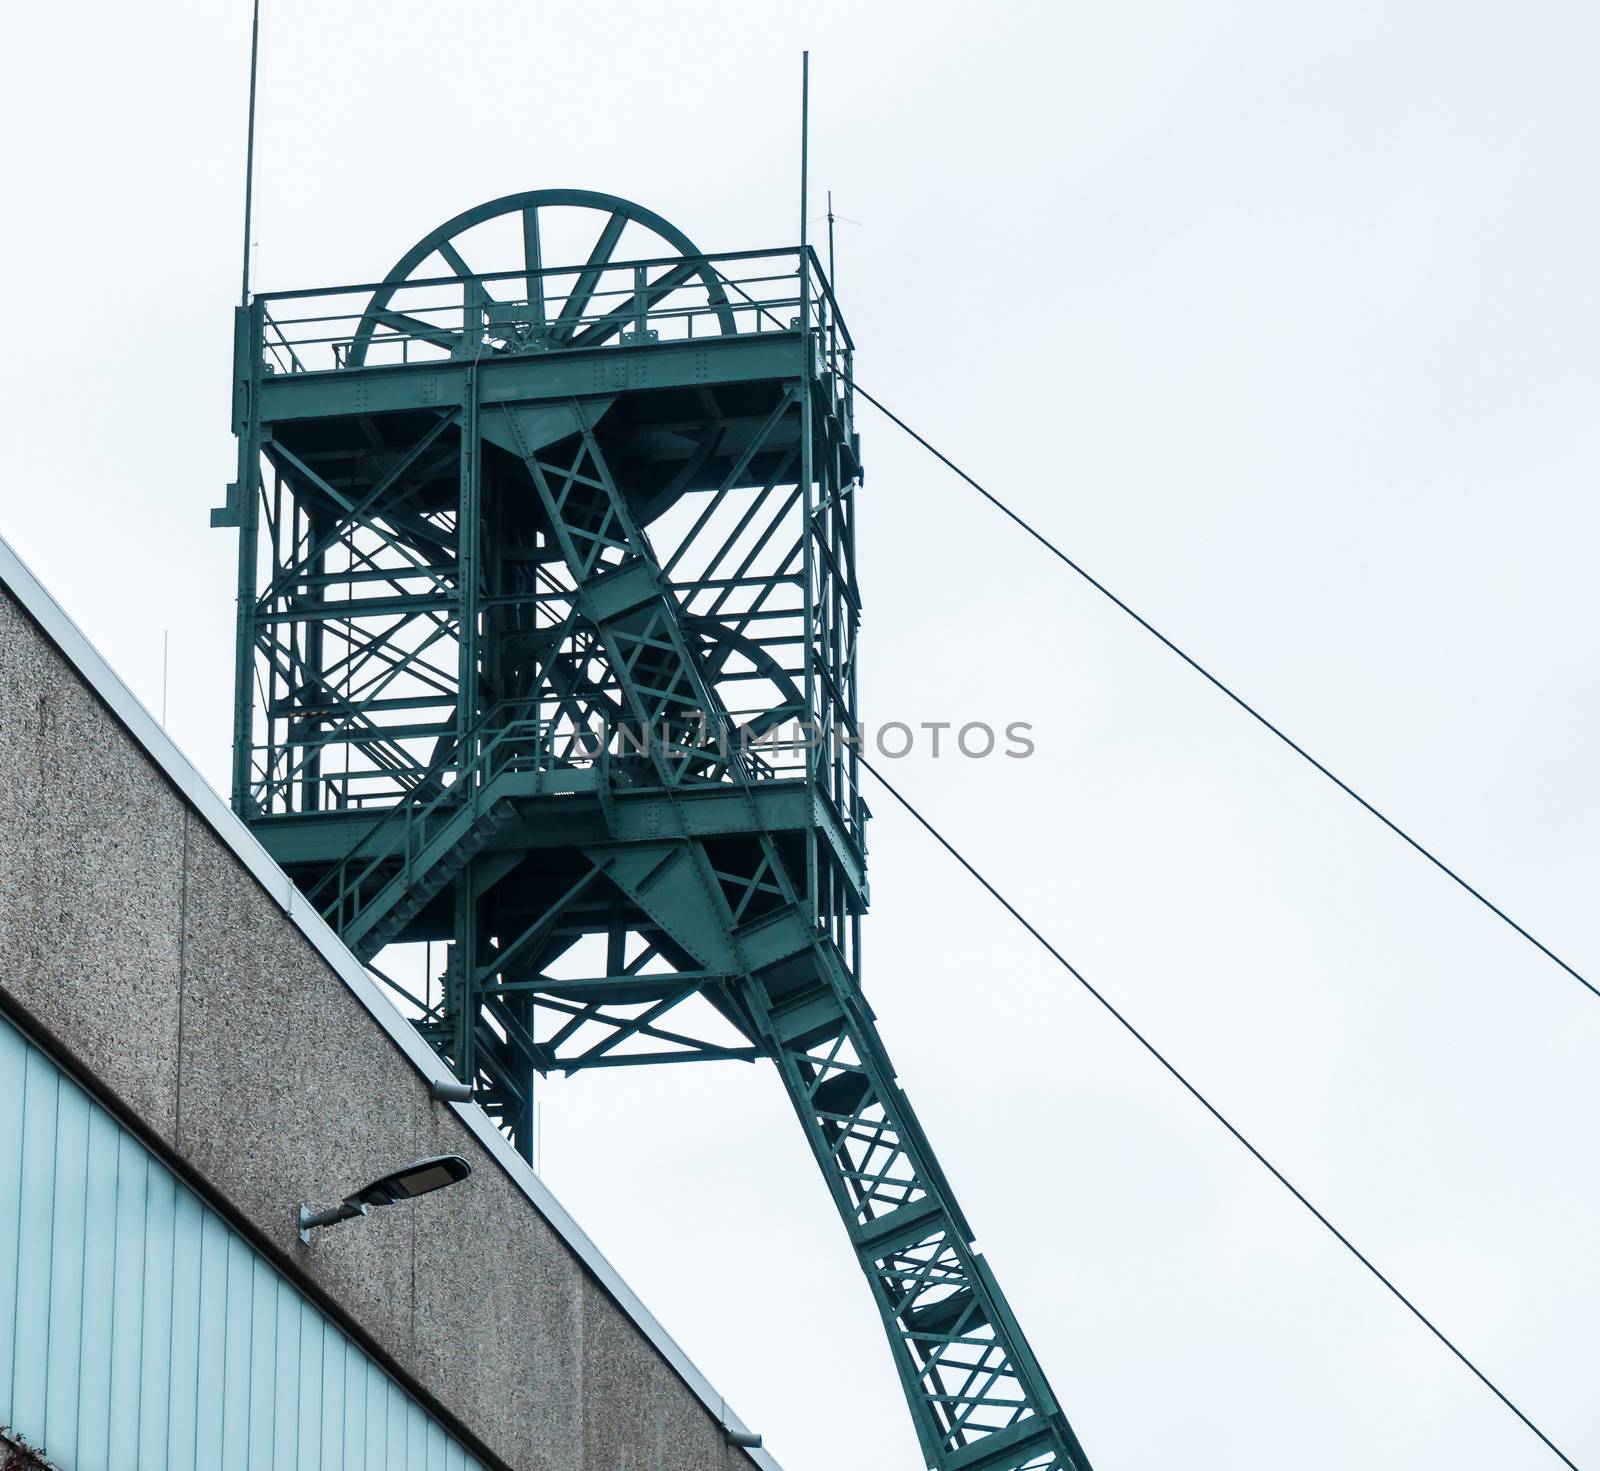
(1284, 319)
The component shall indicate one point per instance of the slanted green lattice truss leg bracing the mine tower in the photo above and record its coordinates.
(977, 1392)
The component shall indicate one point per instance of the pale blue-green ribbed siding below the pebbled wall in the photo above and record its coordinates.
(138, 1331)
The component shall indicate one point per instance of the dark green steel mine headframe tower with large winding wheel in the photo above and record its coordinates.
(546, 697)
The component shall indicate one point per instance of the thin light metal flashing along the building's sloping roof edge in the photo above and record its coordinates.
(206, 801)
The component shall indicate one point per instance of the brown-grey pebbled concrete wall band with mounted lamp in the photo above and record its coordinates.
(140, 939)
